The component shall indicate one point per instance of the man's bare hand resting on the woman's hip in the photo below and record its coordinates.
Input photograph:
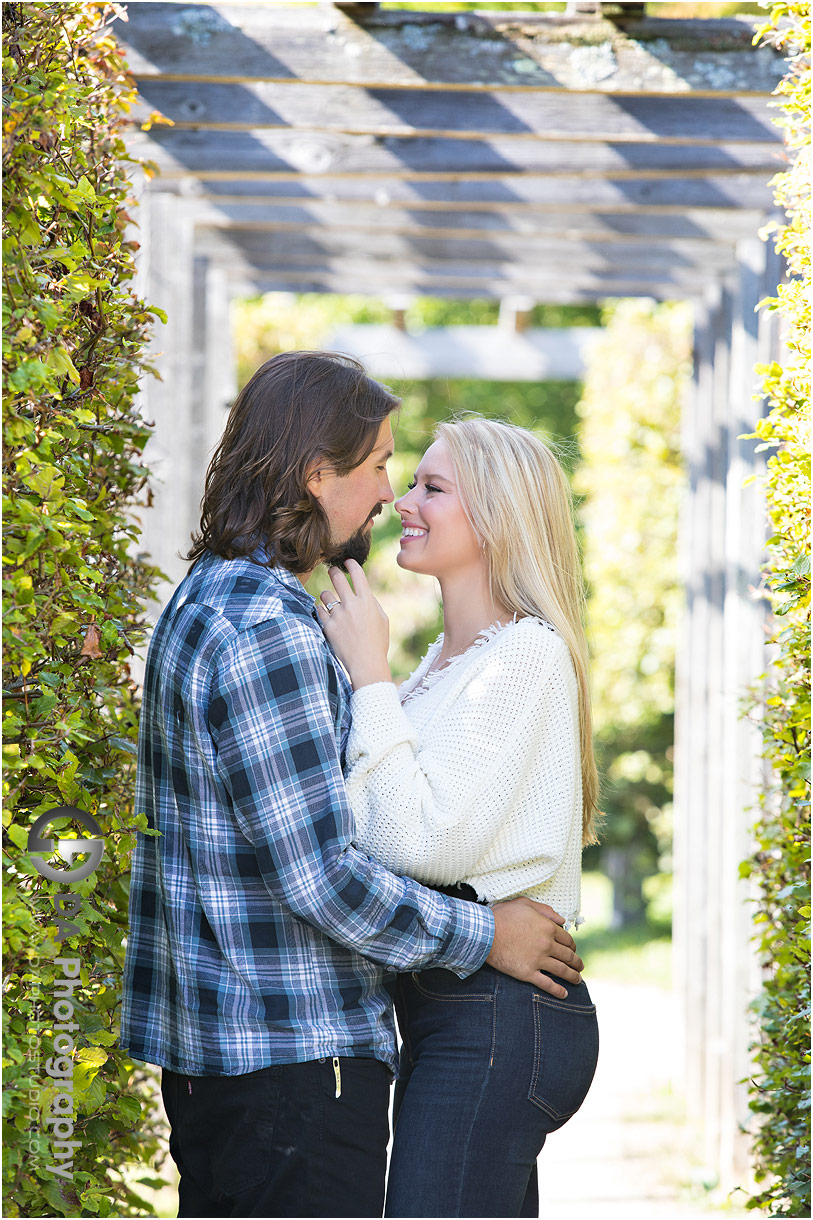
(529, 938)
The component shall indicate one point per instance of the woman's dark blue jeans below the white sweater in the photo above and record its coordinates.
(489, 1068)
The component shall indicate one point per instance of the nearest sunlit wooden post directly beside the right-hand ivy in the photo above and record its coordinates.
(753, 339)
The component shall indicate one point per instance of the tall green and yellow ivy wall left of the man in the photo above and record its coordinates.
(74, 342)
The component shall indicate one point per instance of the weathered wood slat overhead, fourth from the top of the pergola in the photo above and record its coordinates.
(504, 193)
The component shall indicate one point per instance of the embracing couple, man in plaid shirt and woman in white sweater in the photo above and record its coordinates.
(331, 849)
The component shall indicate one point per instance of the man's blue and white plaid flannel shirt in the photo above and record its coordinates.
(258, 933)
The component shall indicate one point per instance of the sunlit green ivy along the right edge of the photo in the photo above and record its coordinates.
(781, 1089)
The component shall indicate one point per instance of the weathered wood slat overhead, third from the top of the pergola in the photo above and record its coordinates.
(269, 153)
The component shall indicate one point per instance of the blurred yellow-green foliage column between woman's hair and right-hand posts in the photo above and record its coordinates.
(633, 481)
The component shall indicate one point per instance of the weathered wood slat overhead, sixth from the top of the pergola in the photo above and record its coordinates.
(272, 247)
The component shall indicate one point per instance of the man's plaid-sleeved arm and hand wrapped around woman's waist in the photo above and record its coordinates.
(275, 739)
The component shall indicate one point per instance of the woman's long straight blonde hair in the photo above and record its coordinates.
(518, 500)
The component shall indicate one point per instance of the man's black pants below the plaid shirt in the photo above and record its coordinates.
(279, 1143)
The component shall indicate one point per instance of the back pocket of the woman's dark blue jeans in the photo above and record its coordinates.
(566, 1053)
